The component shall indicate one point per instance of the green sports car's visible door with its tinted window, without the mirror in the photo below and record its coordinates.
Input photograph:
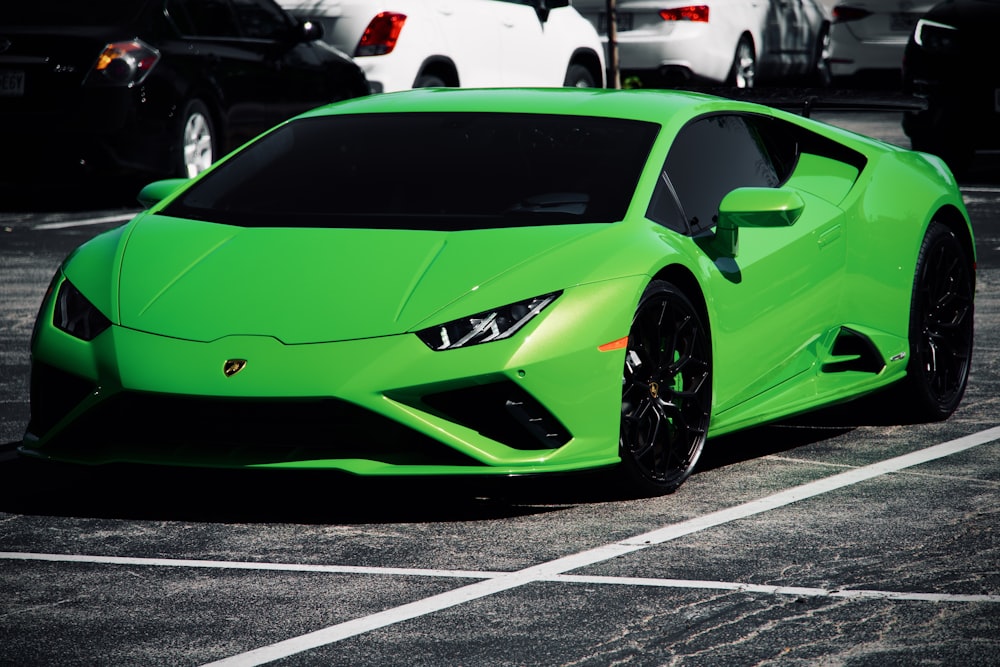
(780, 293)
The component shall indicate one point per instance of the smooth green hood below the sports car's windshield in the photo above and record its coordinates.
(203, 281)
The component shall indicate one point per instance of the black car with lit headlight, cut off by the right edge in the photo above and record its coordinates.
(950, 61)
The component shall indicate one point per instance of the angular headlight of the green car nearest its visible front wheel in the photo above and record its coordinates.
(484, 327)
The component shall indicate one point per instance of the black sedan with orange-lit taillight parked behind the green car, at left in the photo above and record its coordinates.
(153, 88)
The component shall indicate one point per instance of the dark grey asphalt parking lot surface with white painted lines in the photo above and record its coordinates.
(839, 538)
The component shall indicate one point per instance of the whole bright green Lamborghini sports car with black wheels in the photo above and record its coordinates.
(508, 282)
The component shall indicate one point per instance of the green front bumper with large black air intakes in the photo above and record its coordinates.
(546, 400)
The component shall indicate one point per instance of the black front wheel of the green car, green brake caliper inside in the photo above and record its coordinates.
(666, 392)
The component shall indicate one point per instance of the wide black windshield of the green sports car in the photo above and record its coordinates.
(435, 171)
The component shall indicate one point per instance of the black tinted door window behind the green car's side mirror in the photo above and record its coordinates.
(709, 158)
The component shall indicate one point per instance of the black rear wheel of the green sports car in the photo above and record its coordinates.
(941, 327)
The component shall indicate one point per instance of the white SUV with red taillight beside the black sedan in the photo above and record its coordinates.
(404, 44)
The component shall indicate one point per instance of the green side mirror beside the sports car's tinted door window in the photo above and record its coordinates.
(754, 207)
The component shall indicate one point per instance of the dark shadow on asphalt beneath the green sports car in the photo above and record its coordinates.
(132, 492)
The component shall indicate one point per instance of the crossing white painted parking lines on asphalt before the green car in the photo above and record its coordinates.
(495, 582)
